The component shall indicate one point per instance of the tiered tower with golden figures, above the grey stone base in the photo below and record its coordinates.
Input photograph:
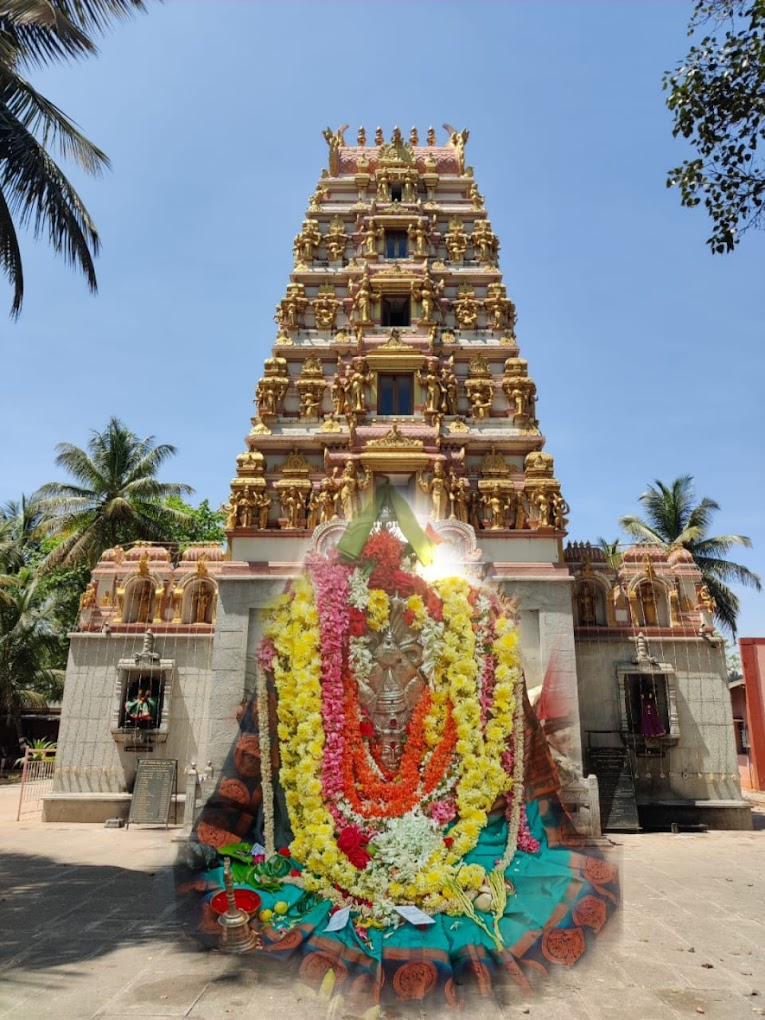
(396, 356)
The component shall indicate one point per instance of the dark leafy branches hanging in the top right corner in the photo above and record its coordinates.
(718, 97)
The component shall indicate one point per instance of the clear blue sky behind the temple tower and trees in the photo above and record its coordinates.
(647, 351)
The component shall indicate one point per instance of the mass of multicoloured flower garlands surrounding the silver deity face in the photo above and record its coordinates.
(400, 726)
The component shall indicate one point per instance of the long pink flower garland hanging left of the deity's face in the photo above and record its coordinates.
(331, 583)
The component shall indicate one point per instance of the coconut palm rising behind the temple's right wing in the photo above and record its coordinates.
(675, 519)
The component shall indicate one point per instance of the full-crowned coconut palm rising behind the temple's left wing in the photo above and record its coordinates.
(116, 497)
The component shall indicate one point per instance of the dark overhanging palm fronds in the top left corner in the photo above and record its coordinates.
(34, 190)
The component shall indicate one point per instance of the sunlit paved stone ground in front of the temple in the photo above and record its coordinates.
(88, 930)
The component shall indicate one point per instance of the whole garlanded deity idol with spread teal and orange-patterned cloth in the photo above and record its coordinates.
(391, 794)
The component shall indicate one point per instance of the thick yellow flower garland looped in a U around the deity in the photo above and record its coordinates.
(294, 629)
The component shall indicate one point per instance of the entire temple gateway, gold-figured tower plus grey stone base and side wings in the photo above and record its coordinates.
(396, 368)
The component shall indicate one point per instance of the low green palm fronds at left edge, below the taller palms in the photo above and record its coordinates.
(28, 643)
